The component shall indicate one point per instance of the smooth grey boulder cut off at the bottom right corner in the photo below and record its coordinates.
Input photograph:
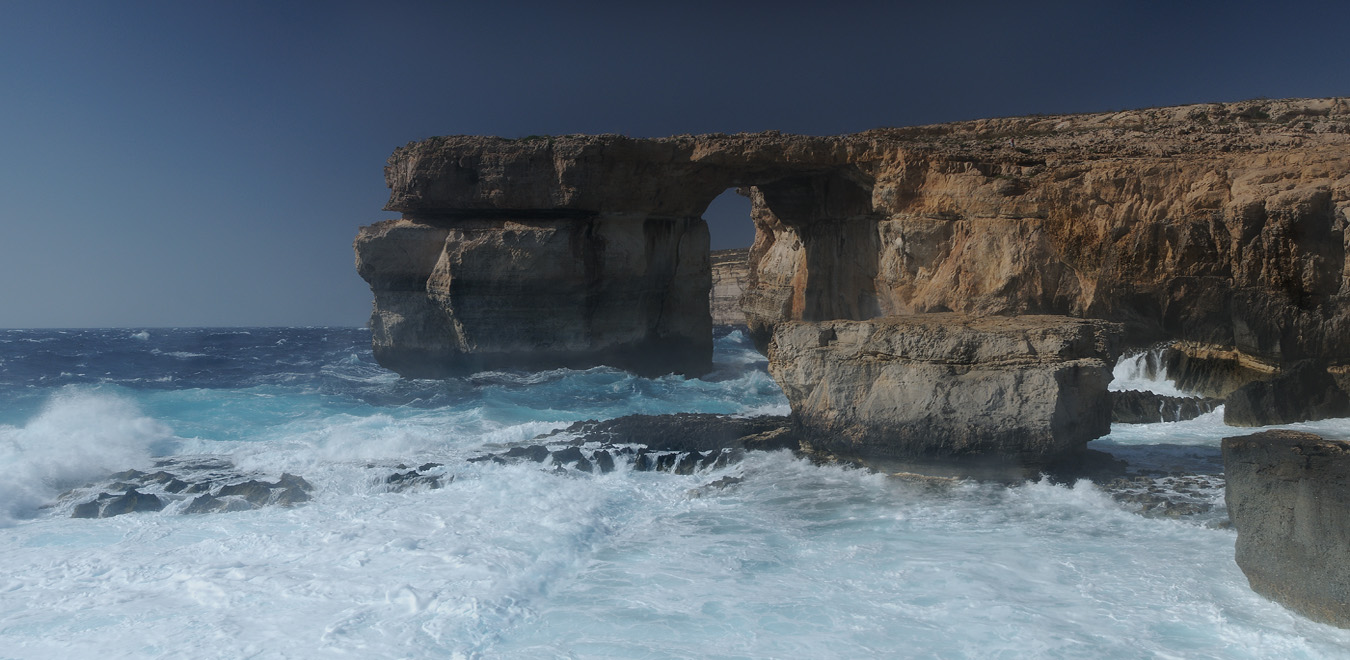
(1289, 496)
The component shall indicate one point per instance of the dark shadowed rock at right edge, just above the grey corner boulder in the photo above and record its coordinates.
(1302, 392)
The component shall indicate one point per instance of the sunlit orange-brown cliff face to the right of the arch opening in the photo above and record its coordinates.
(1217, 225)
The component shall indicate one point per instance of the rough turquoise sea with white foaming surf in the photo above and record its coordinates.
(522, 561)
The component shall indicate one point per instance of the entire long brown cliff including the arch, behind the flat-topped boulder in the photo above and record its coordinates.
(1222, 226)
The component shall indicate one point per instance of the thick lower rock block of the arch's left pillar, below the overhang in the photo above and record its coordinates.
(470, 295)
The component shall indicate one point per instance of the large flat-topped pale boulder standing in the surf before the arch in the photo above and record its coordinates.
(1006, 391)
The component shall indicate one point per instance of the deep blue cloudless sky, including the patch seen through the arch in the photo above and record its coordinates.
(180, 164)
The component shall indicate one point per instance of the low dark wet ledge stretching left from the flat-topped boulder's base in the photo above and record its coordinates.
(686, 433)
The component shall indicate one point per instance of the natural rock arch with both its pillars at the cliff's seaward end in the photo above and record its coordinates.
(592, 250)
